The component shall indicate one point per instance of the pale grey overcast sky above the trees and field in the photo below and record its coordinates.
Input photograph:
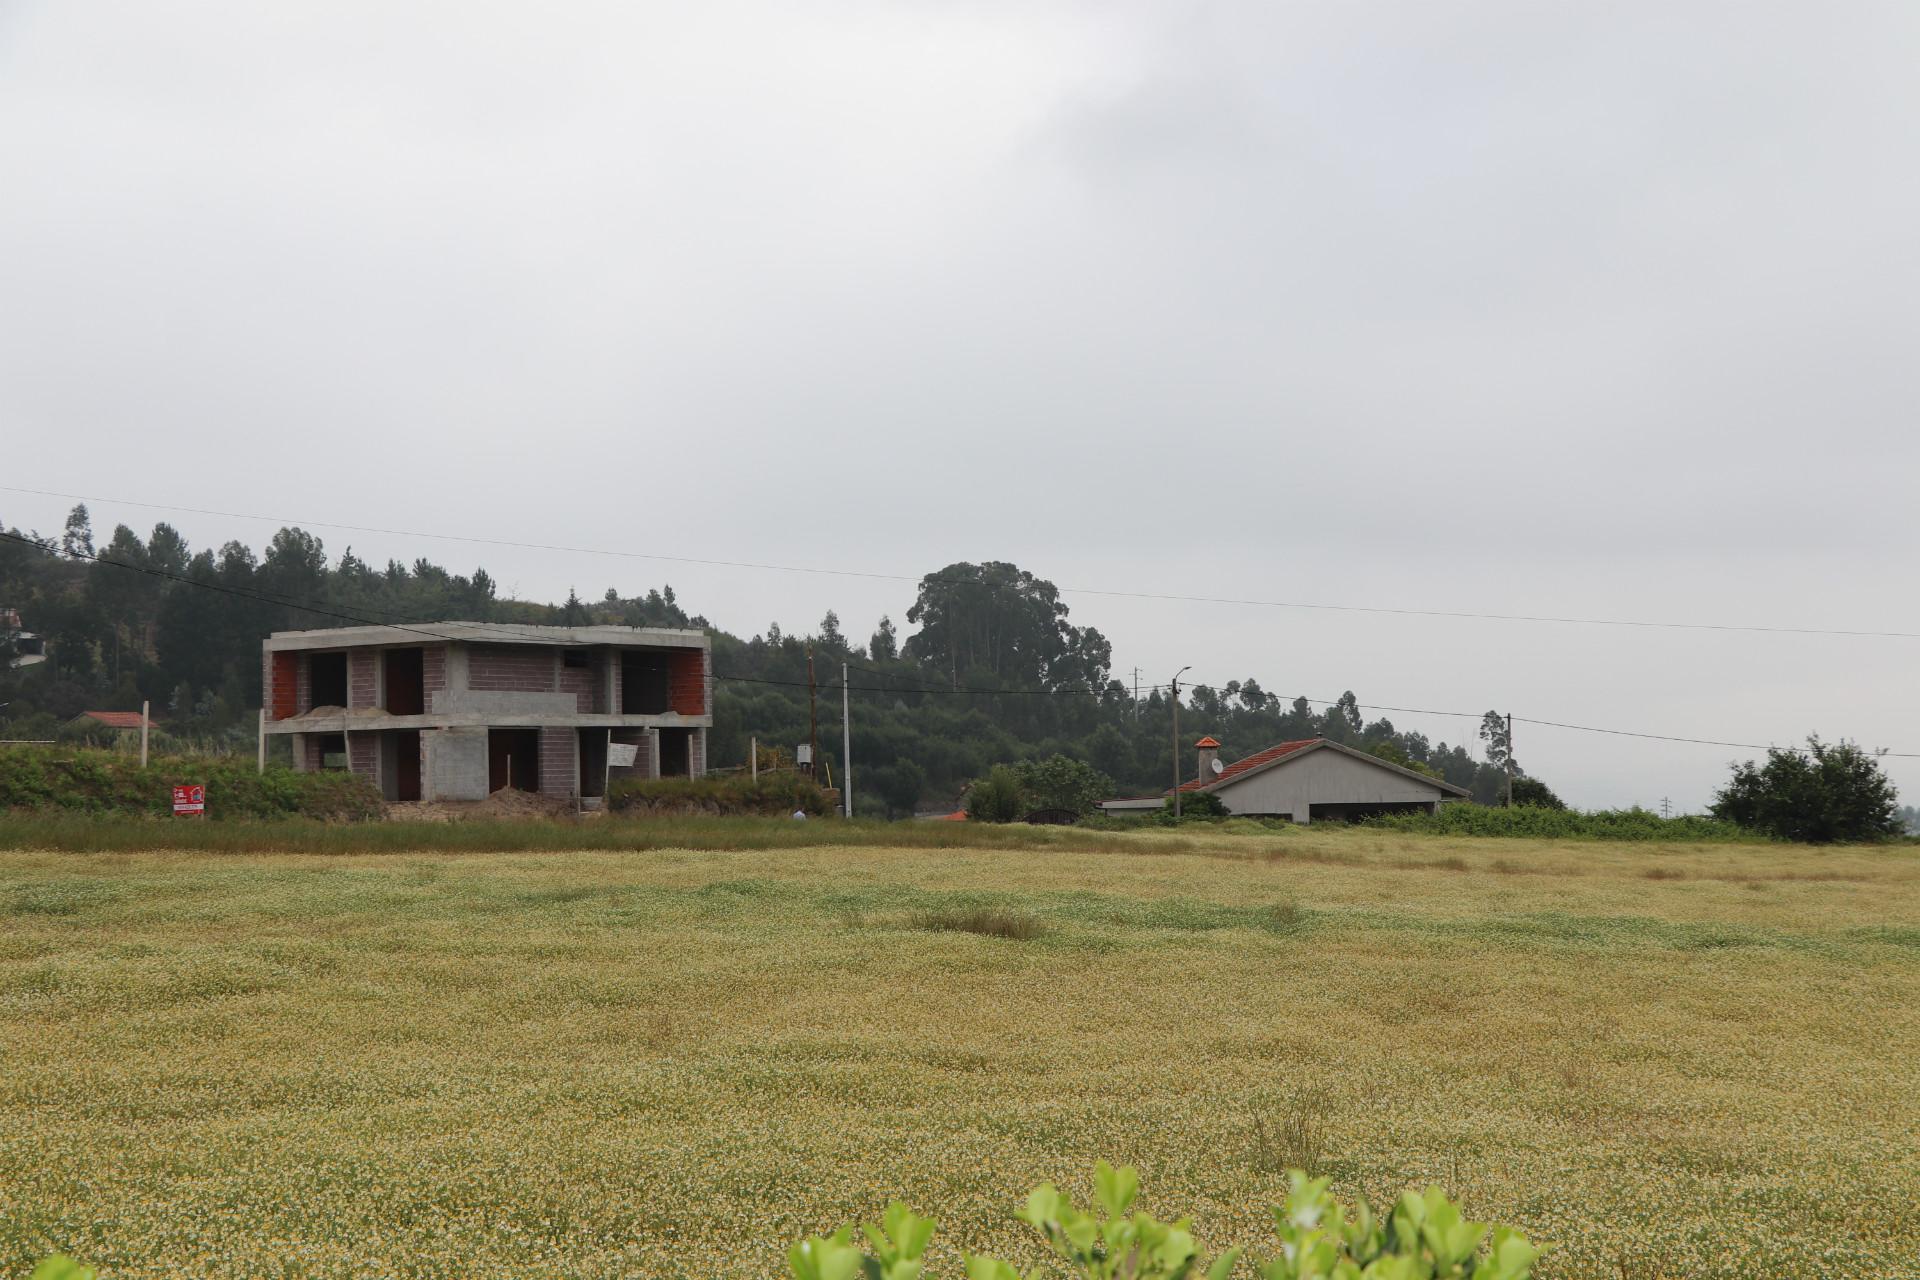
(1497, 308)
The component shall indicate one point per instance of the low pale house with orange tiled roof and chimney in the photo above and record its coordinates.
(1307, 780)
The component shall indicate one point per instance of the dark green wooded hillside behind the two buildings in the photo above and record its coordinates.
(990, 671)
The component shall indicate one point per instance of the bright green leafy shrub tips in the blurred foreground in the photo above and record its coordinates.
(1424, 1239)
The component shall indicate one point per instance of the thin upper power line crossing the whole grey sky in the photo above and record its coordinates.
(1099, 592)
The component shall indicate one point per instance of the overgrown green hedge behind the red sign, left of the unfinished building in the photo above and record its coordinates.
(110, 784)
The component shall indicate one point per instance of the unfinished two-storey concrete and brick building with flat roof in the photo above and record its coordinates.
(456, 711)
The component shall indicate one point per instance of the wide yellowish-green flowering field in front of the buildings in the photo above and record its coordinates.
(1662, 1062)
